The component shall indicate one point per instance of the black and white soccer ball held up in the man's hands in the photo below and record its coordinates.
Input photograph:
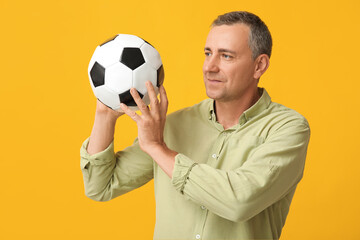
(123, 62)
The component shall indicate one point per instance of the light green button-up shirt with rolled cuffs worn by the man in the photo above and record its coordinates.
(236, 183)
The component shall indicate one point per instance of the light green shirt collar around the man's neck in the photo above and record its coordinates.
(261, 104)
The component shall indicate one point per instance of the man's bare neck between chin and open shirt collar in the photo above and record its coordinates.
(229, 112)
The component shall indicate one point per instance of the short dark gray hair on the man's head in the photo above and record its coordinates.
(260, 41)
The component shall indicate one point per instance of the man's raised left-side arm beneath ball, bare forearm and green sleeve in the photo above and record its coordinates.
(106, 174)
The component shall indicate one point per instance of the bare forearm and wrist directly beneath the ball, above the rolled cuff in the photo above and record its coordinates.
(103, 130)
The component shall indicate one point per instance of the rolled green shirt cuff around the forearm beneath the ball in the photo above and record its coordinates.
(104, 157)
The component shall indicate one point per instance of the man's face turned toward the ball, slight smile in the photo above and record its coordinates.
(228, 67)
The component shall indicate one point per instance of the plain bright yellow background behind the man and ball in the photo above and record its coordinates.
(47, 107)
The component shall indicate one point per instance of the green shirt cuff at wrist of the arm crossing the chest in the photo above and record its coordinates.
(181, 172)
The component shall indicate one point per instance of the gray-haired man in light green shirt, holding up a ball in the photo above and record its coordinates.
(225, 168)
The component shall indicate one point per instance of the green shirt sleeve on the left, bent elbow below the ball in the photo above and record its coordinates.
(108, 174)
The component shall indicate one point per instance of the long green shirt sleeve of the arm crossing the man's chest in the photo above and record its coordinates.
(269, 174)
